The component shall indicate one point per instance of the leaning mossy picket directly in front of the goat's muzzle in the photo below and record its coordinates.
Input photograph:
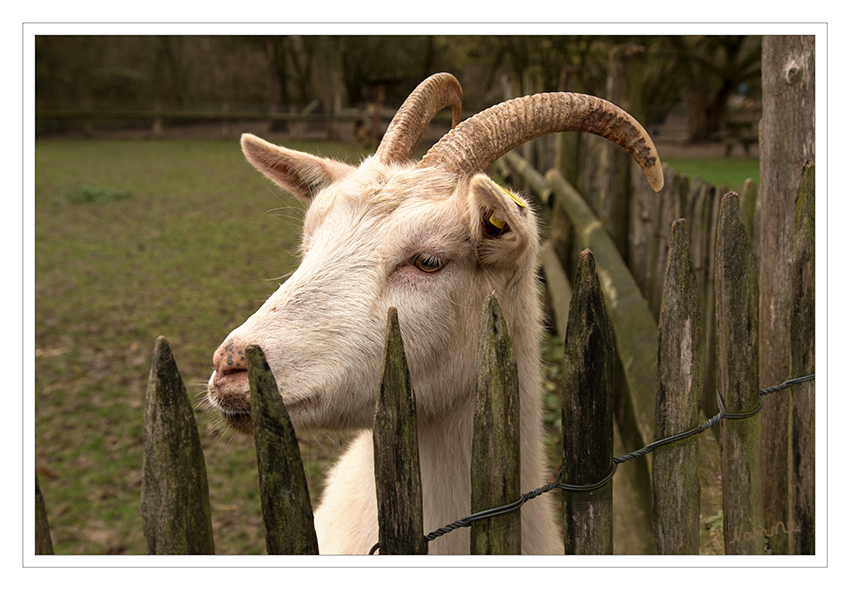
(285, 500)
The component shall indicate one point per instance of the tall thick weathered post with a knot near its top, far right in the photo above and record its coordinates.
(786, 142)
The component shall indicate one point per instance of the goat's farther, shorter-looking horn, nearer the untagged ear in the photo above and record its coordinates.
(408, 125)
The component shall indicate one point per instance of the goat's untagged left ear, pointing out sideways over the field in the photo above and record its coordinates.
(304, 175)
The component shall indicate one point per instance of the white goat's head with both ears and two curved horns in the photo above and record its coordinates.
(431, 238)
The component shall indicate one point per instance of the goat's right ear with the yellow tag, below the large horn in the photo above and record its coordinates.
(505, 226)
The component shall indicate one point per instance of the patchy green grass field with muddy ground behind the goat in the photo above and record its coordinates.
(140, 239)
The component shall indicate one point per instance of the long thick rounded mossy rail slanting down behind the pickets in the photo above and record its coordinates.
(634, 328)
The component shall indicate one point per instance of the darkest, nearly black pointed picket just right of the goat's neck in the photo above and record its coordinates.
(587, 417)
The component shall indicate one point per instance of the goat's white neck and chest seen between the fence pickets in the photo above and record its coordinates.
(347, 520)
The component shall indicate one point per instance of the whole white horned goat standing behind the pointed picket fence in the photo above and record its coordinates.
(431, 238)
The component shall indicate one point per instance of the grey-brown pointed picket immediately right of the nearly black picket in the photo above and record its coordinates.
(681, 360)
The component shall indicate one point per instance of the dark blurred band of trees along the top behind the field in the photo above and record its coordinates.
(289, 72)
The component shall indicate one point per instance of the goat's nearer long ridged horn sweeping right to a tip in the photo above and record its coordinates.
(481, 140)
